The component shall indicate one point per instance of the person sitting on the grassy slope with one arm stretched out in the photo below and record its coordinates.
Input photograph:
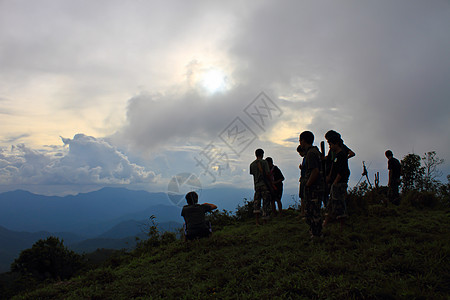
(195, 226)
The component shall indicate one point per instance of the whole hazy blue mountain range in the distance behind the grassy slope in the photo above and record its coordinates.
(109, 218)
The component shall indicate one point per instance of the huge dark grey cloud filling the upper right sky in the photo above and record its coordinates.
(382, 67)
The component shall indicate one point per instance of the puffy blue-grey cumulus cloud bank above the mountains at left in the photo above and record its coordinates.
(86, 161)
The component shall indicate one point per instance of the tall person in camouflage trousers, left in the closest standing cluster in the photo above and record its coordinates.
(313, 192)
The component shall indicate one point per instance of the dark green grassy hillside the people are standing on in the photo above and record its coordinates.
(391, 253)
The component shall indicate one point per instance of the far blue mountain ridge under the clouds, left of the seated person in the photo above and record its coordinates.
(88, 214)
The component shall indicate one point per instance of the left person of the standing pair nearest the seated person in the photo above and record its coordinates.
(259, 168)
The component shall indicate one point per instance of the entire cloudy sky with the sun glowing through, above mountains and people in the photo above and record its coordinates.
(131, 93)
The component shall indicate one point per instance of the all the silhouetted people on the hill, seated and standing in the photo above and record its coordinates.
(323, 183)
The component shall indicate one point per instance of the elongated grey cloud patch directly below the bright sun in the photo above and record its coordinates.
(155, 121)
